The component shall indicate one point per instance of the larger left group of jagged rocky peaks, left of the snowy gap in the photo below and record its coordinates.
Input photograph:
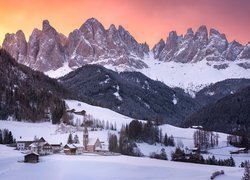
(91, 43)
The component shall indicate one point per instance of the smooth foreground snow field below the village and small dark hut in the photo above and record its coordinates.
(105, 167)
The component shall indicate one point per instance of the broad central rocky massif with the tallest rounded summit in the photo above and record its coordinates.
(92, 43)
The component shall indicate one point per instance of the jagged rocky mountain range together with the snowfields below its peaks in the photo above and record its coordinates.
(189, 61)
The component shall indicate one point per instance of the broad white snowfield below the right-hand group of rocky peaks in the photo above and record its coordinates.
(190, 76)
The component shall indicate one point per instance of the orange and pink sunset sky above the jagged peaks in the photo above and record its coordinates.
(146, 20)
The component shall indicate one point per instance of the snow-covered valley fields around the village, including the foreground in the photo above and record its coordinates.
(89, 166)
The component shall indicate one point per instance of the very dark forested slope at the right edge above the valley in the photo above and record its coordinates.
(230, 114)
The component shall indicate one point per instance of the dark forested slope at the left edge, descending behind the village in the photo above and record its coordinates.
(26, 94)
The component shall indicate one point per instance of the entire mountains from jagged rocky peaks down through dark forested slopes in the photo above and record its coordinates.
(129, 78)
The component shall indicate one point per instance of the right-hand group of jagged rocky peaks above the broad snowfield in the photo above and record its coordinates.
(193, 47)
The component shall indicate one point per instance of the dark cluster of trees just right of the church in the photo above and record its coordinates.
(137, 132)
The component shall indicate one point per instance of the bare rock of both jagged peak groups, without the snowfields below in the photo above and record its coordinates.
(48, 50)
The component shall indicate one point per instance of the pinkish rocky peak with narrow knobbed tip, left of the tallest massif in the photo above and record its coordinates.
(45, 51)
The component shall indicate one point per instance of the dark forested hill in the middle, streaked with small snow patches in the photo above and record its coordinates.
(129, 93)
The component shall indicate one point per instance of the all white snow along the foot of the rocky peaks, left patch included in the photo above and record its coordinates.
(191, 77)
